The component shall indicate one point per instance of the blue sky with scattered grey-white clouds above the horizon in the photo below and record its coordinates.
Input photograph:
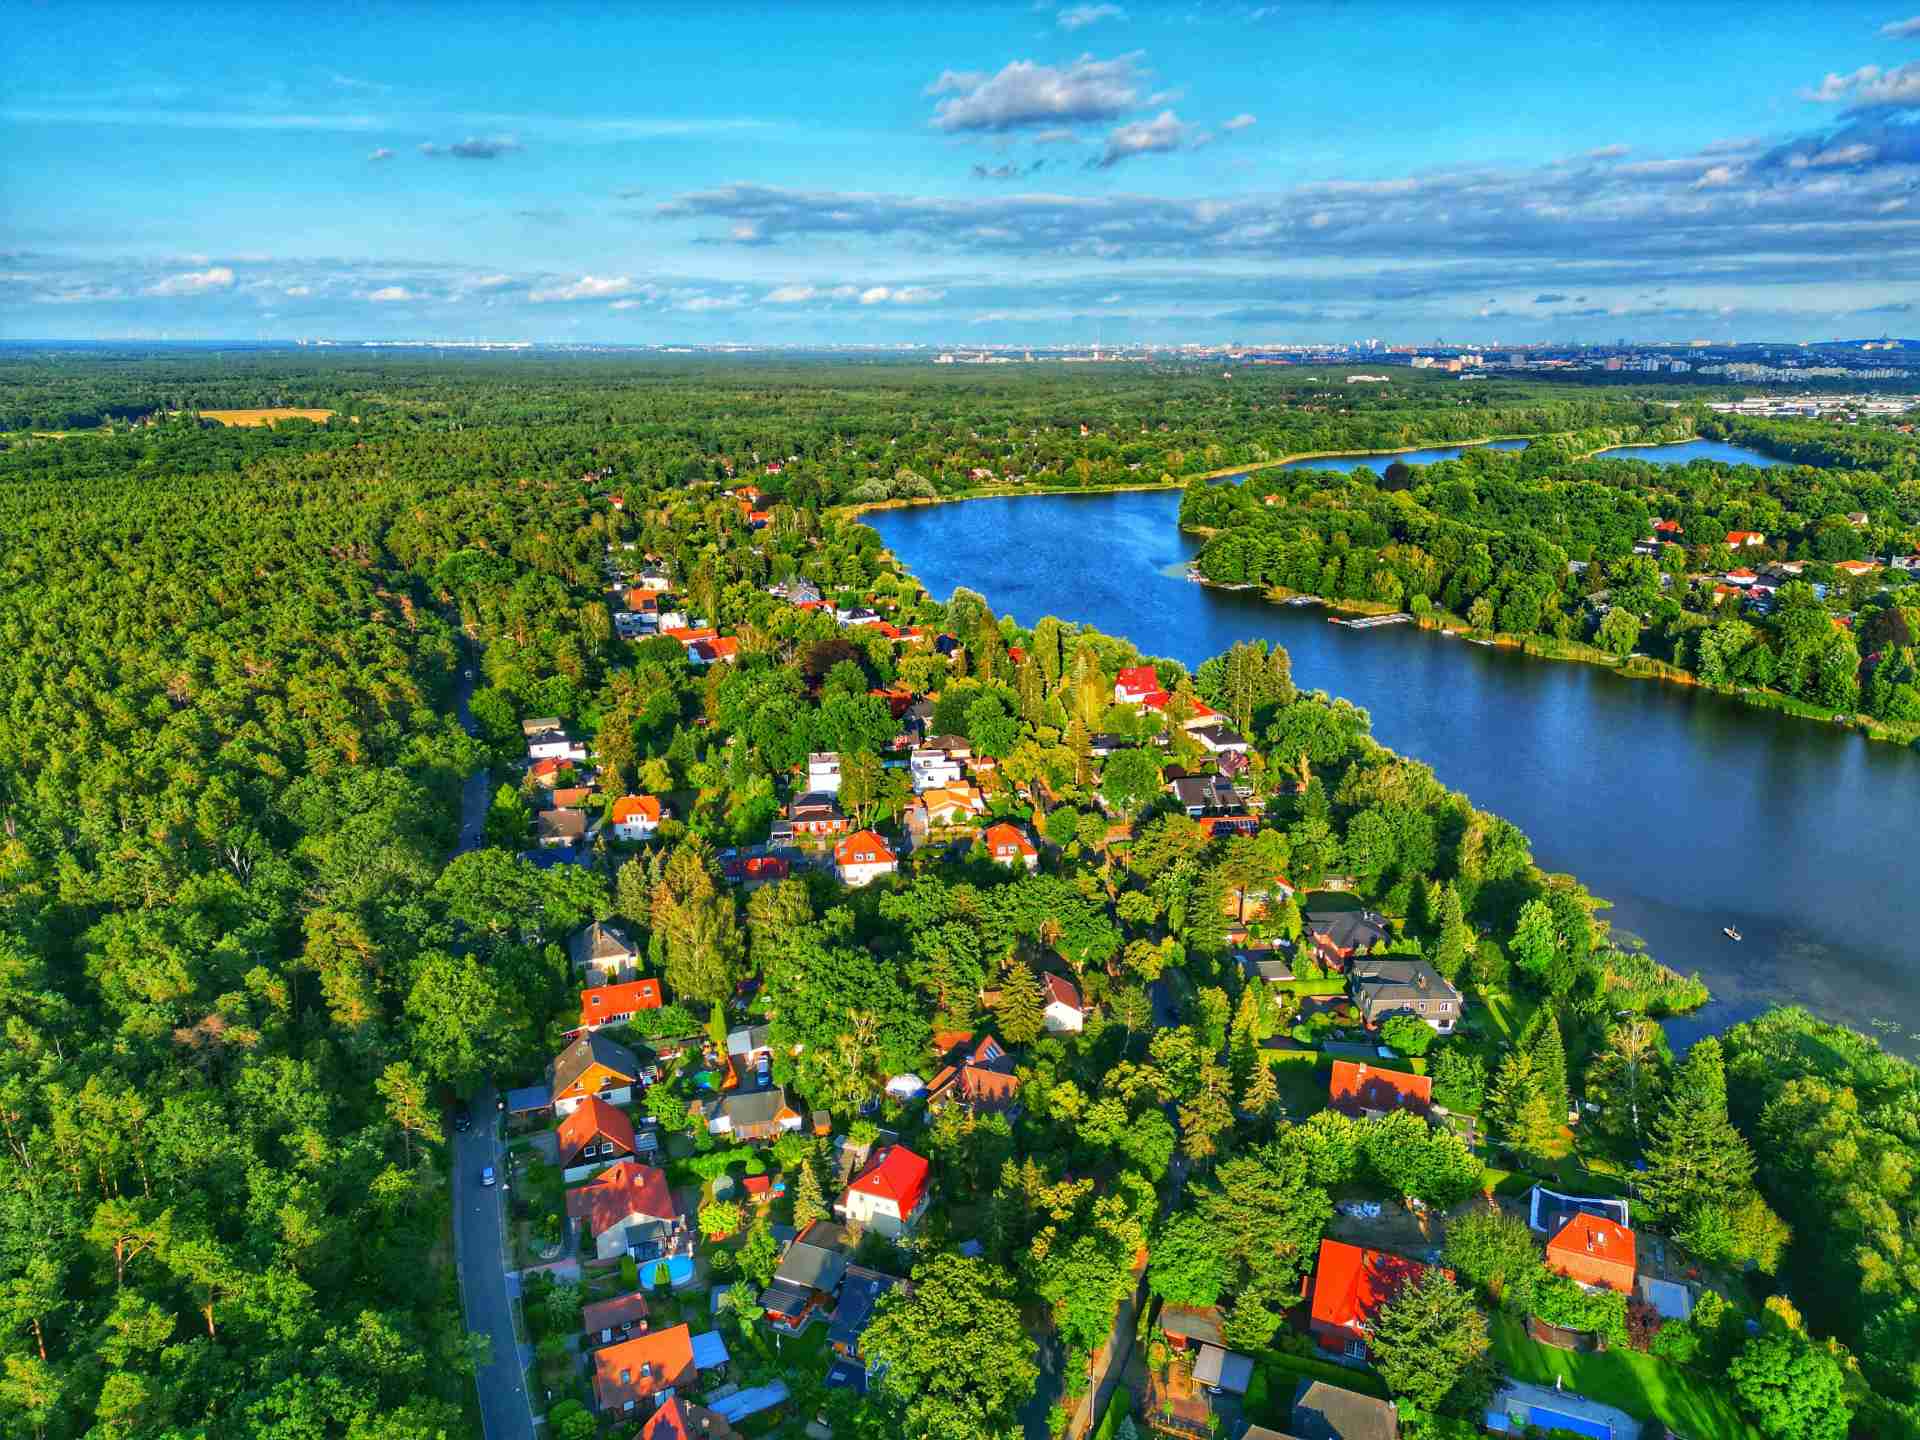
(1030, 174)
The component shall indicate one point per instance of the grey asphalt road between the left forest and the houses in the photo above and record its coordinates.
(479, 1211)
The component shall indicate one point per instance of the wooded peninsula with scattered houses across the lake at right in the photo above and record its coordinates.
(1537, 544)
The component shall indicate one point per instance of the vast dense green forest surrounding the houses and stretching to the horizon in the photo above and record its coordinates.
(241, 978)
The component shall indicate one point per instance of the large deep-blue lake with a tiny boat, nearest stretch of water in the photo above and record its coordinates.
(1689, 811)
